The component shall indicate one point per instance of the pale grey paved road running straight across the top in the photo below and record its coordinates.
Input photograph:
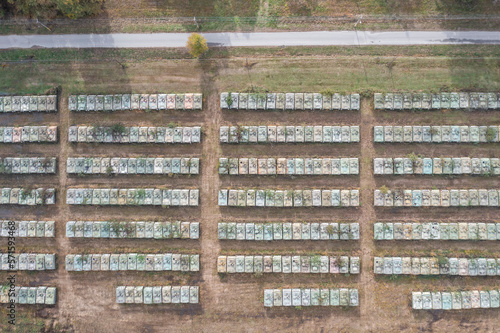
(312, 38)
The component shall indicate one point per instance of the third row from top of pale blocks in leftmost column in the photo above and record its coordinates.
(28, 165)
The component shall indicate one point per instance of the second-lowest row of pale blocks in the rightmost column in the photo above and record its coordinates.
(436, 266)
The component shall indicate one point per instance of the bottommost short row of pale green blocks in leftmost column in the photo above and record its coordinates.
(28, 295)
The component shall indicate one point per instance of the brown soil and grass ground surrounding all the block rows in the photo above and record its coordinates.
(86, 301)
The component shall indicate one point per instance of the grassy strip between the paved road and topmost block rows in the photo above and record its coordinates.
(360, 69)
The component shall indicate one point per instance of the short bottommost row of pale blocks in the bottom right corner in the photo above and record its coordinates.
(455, 300)
